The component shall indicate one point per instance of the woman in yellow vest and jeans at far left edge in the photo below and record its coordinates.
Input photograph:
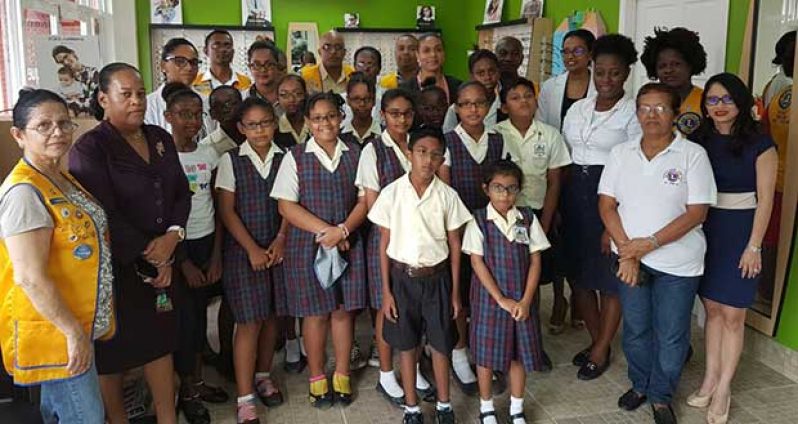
(55, 267)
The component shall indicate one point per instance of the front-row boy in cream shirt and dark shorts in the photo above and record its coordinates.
(419, 219)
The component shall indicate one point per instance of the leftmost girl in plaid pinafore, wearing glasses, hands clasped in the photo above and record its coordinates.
(253, 253)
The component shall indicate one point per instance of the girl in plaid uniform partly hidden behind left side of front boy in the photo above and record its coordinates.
(382, 161)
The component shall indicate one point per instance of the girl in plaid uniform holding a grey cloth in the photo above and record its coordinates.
(317, 195)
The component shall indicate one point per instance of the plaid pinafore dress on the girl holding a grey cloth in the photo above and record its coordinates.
(331, 197)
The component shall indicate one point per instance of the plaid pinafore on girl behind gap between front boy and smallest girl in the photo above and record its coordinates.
(467, 173)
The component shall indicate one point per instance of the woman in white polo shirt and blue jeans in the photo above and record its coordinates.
(654, 194)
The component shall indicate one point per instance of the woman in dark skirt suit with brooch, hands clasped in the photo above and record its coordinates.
(134, 172)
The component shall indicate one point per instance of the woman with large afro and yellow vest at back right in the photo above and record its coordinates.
(673, 57)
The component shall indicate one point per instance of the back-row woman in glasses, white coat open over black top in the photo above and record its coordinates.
(559, 93)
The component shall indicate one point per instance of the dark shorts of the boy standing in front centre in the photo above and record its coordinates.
(424, 306)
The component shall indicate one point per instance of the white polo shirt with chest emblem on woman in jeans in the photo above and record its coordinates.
(651, 194)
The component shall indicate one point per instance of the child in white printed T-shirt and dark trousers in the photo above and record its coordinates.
(202, 263)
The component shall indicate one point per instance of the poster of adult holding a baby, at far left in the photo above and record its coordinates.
(70, 67)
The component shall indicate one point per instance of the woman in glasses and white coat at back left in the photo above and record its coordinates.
(179, 63)
